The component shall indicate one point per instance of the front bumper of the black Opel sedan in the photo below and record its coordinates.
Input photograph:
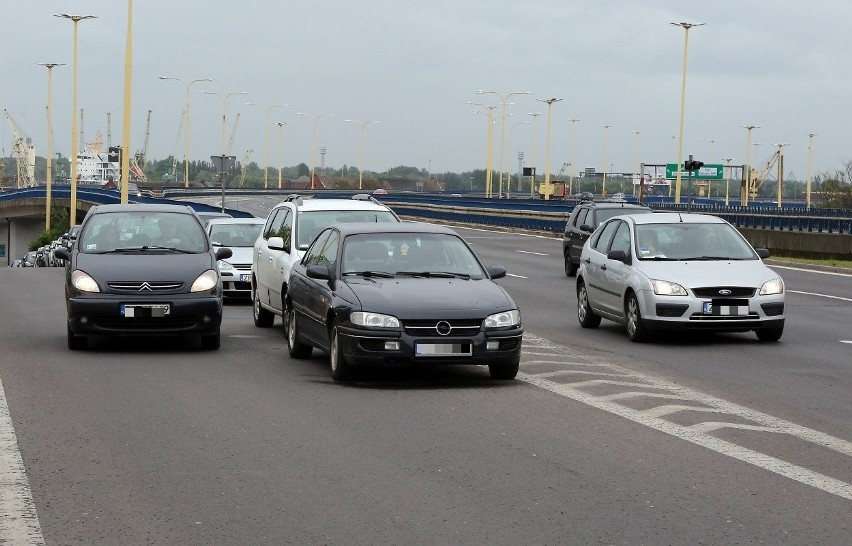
(363, 347)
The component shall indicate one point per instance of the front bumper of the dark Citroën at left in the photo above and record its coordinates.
(100, 314)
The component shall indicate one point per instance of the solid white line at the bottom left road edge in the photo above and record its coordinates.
(19, 521)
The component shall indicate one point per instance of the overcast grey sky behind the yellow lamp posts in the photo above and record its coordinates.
(783, 65)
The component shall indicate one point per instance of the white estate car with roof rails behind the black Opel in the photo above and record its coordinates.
(290, 228)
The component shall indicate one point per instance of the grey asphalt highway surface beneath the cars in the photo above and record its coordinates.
(699, 439)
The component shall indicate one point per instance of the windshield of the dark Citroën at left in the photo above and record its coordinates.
(126, 231)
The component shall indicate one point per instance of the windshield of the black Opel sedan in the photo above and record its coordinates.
(409, 254)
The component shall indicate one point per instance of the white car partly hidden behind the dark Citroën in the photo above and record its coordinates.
(238, 234)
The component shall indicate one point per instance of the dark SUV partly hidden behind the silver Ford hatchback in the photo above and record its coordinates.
(584, 219)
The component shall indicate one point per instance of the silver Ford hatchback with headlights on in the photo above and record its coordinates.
(664, 271)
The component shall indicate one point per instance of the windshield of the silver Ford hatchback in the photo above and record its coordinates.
(682, 241)
